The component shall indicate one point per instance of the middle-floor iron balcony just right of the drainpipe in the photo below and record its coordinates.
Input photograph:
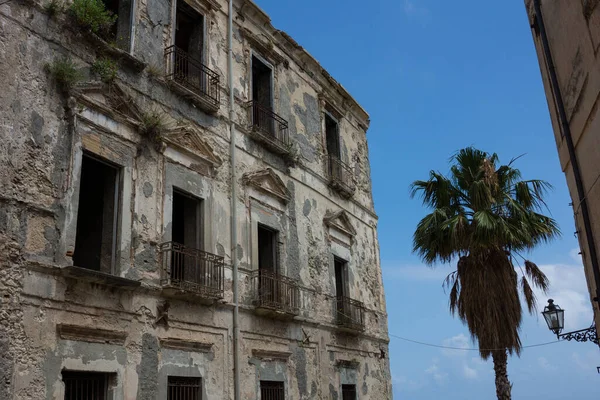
(275, 295)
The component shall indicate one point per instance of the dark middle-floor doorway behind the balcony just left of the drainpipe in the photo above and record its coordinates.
(186, 230)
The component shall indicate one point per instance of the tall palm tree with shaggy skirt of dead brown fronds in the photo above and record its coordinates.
(482, 216)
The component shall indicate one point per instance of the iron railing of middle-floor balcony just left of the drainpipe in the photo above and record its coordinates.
(192, 270)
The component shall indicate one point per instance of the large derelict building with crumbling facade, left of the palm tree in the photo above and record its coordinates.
(119, 255)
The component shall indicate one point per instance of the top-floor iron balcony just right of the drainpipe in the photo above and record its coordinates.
(269, 128)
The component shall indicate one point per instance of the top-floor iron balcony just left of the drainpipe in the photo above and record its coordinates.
(192, 79)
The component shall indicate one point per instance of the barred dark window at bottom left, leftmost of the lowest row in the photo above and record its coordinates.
(85, 385)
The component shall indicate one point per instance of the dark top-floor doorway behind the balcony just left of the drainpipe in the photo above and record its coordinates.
(189, 33)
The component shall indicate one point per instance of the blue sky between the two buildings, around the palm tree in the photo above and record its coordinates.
(436, 76)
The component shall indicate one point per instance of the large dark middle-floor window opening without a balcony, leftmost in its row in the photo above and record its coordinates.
(96, 237)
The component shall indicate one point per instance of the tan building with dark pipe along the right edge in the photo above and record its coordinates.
(567, 39)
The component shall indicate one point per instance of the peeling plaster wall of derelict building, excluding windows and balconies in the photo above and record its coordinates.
(56, 316)
